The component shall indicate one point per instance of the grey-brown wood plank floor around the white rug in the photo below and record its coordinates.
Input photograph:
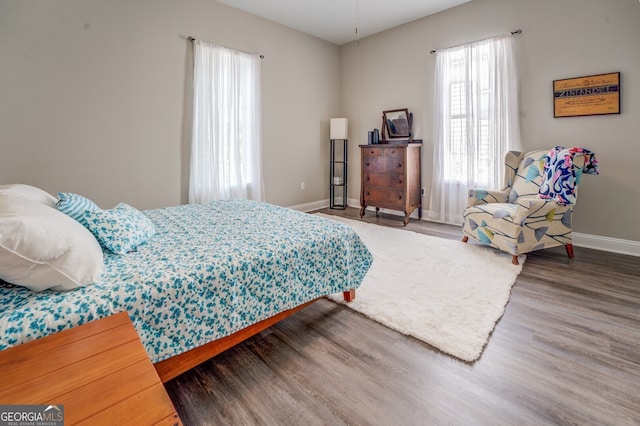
(566, 351)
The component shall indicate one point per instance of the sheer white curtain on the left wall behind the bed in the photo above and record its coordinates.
(226, 158)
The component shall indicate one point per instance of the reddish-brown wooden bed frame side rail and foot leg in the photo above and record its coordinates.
(176, 365)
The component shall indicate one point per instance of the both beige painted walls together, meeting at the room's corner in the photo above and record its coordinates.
(95, 94)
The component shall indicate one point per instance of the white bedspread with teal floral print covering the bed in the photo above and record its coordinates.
(209, 271)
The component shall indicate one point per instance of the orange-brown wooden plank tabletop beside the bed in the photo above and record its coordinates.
(99, 372)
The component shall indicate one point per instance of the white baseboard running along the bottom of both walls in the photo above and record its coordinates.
(596, 242)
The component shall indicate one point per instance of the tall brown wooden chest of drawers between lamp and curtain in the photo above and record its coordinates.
(391, 177)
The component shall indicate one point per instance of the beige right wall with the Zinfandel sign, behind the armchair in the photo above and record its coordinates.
(561, 39)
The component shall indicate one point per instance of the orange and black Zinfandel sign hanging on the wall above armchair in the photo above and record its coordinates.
(589, 95)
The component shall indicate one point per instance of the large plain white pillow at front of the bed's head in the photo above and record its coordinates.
(42, 248)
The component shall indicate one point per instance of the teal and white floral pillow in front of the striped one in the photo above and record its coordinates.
(120, 230)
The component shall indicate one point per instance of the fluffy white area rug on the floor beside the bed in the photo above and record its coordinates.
(444, 292)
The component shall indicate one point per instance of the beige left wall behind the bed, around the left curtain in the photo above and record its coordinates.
(95, 97)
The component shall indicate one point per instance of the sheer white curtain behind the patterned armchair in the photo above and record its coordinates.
(476, 122)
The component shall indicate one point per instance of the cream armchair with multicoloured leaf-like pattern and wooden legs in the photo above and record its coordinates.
(517, 220)
